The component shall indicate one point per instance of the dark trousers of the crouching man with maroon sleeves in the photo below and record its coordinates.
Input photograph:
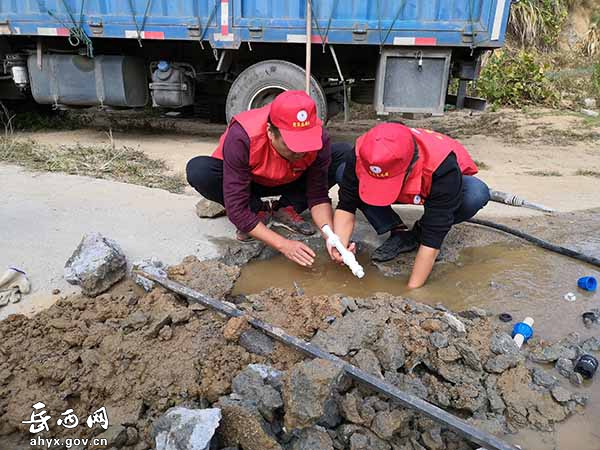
(205, 174)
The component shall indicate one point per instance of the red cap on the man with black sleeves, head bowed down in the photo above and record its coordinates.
(384, 155)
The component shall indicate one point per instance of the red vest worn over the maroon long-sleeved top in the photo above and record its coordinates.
(267, 166)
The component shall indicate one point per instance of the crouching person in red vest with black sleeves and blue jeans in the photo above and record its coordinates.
(394, 164)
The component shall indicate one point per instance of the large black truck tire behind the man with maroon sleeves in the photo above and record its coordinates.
(260, 83)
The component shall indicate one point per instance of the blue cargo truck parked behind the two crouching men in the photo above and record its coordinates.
(226, 56)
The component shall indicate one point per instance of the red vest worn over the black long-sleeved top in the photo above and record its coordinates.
(433, 149)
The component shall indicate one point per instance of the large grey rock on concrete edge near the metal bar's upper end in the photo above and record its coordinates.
(96, 265)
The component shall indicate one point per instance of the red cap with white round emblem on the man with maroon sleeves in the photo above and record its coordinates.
(294, 113)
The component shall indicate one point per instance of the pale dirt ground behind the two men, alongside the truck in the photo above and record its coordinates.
(536, 154)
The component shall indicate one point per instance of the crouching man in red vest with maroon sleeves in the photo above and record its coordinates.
(280, 149)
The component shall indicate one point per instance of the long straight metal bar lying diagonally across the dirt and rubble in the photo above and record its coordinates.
(461, 427)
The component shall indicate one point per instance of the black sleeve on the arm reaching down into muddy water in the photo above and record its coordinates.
(443, 201)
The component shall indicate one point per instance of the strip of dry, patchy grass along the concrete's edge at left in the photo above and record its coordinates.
(107, 162)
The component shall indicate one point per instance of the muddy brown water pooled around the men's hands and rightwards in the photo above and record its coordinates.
(519, 279)
